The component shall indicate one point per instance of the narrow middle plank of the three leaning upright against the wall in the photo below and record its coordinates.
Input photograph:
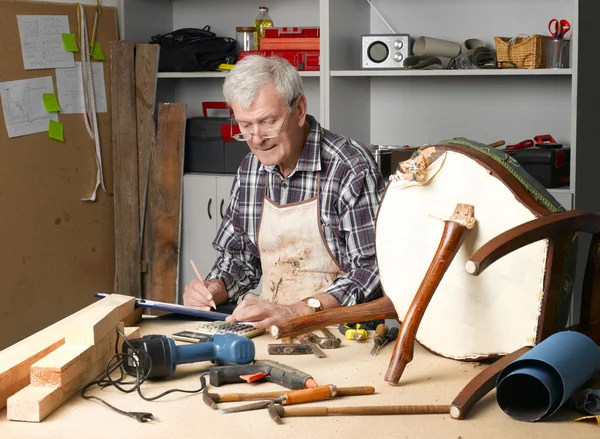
(146, 71)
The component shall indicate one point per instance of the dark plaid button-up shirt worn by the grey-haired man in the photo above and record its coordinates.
(351, 189)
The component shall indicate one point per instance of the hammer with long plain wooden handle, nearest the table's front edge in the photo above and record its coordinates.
(277, 411)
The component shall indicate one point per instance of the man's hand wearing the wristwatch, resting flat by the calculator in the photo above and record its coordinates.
(264, 314)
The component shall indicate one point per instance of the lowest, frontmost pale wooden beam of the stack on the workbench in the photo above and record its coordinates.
(34, 403)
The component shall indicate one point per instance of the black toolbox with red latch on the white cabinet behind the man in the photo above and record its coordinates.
(207, 150)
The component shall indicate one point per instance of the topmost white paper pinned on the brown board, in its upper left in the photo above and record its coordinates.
(41, 41)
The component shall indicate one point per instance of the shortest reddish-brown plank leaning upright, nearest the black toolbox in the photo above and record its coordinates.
(164, 203)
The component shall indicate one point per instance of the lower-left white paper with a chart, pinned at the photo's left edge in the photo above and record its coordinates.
(23, 105)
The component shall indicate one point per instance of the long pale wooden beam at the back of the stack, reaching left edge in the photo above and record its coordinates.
(16, 360)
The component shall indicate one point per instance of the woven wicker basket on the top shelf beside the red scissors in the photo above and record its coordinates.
(521, 52)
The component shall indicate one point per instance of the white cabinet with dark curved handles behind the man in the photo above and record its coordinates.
(205, 201)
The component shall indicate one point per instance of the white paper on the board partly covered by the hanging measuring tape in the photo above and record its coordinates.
(70, 91)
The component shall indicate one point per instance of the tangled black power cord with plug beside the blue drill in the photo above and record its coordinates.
(132, 357)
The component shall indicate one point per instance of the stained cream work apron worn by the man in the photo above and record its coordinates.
(296, 261)
